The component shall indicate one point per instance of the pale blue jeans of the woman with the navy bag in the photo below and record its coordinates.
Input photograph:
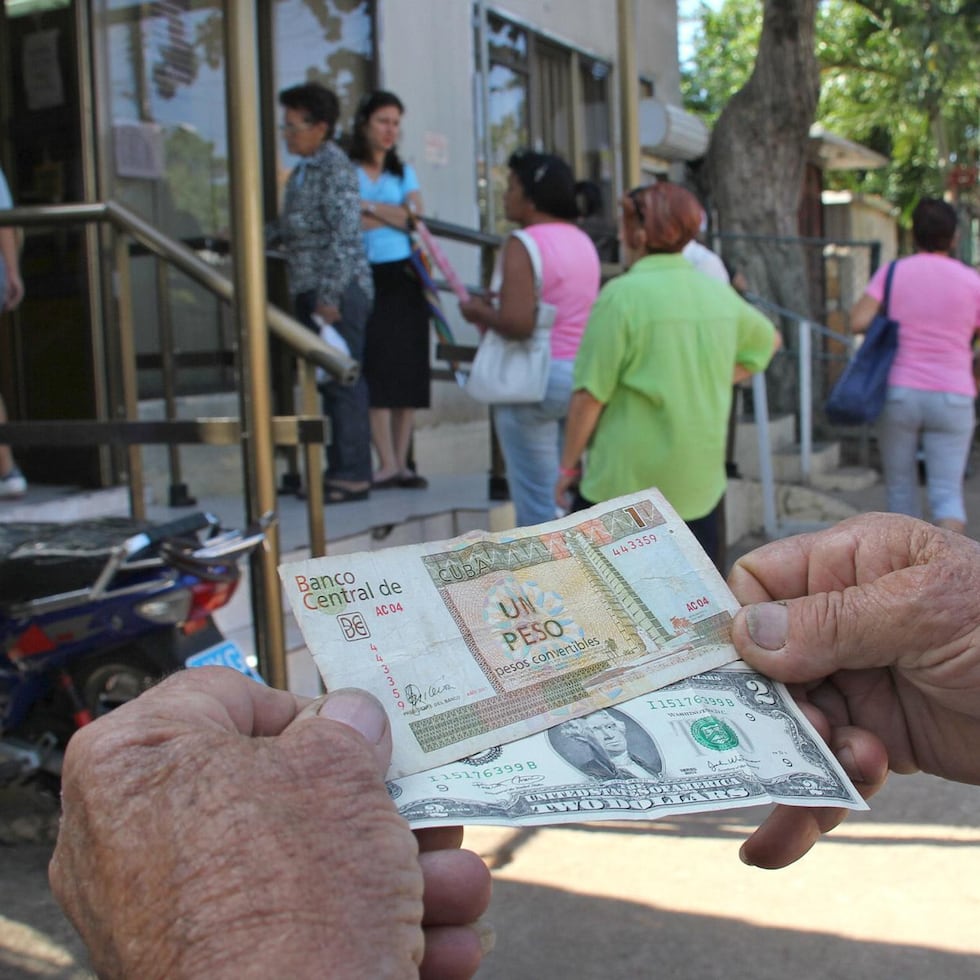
(945, 423)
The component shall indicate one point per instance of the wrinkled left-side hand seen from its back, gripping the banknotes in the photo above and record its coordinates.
(217, 828)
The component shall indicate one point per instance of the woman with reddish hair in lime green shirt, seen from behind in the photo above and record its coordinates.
(653, 376)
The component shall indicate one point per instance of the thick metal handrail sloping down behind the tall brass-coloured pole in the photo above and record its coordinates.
(303, 342)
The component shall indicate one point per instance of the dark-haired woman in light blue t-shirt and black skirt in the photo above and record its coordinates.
(396, 356)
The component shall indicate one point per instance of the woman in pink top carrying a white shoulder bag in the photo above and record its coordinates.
(542, 197)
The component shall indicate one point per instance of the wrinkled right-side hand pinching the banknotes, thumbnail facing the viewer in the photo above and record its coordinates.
(879, 638)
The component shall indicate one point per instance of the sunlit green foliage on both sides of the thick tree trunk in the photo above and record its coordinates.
(899, 76)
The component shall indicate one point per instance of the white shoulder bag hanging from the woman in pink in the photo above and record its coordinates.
(509, 371)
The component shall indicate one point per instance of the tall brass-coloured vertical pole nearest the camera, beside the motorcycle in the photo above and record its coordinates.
(250, 310)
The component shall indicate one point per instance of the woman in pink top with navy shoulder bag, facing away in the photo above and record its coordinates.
(931, 389)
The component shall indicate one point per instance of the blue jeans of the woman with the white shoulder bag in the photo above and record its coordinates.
(530, 438)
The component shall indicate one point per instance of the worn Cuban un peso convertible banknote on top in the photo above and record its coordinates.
(487, 638)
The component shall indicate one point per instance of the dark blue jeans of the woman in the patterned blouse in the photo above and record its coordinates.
(346, 406)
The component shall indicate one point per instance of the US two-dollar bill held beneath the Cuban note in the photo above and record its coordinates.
(726, 738)
